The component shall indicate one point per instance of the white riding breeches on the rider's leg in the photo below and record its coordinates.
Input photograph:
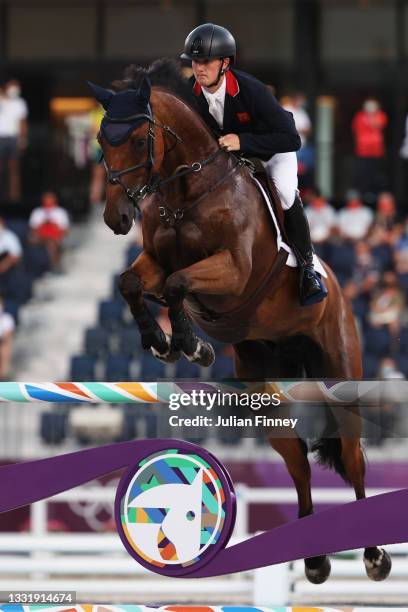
(282, 168)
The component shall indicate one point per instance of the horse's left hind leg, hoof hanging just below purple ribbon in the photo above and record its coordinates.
(260, 360)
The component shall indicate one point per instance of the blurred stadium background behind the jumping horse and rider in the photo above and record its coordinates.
(339, 66)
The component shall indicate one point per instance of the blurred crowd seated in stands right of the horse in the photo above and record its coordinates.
(368, 251)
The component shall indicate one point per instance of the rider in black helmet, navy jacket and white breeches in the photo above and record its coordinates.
(250, 120)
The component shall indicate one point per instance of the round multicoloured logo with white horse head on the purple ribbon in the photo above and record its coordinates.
(175, 510)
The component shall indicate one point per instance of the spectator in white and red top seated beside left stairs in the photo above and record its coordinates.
(49, 224)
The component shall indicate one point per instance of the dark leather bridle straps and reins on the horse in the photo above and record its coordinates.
(168, 216)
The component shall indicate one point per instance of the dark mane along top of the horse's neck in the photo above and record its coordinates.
(165, 73)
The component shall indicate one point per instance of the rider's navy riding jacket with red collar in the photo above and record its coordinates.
(252, 112)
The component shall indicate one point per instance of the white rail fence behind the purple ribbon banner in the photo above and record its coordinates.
(97, 566)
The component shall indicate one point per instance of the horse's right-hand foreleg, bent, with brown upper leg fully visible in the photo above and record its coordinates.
(217, 274)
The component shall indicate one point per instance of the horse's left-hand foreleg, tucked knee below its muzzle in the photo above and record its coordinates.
(145, 275)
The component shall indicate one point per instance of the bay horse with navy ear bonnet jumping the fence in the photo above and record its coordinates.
(210, 254)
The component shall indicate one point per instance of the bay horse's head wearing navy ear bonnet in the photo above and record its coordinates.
(132, 150)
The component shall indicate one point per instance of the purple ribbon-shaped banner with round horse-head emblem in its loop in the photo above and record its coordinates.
(175, 509)
